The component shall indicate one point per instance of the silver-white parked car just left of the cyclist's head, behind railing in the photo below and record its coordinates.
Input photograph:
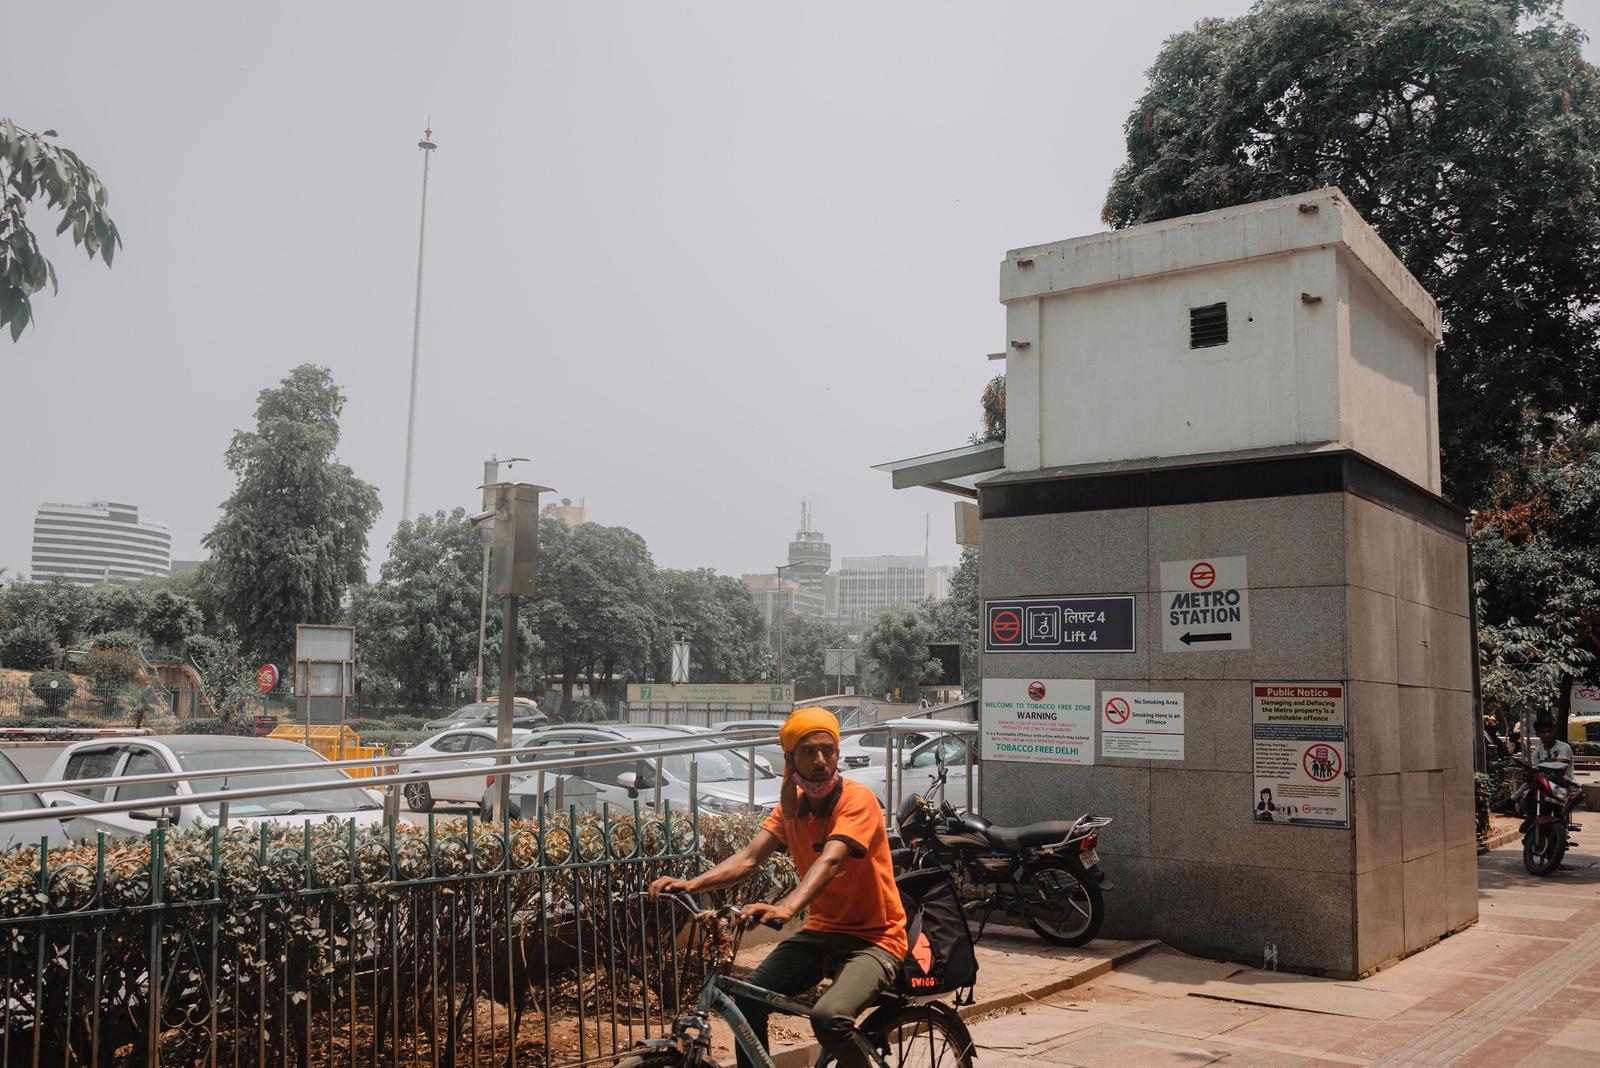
(623, 773)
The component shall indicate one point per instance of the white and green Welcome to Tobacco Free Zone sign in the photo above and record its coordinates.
(1039, 720)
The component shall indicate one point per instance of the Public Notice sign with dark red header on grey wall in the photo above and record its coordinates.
(1302, 754)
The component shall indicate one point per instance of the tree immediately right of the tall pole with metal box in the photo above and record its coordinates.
(598, 602)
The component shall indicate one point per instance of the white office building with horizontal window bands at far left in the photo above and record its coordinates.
(97, 543)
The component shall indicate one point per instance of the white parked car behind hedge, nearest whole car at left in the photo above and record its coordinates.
(329, 792)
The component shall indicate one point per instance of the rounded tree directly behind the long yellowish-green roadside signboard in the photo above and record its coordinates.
(719, 620)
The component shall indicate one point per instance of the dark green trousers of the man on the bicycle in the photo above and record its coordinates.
(862, 971)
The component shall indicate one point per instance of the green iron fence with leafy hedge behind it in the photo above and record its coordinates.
(334, 944)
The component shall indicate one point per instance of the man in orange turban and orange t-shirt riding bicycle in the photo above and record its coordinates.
(855, 930)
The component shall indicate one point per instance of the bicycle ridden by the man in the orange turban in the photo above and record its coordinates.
(898, 1034)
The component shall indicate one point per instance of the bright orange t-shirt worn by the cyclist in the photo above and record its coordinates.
(863, 899)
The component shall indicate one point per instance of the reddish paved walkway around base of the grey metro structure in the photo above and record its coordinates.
(1522, 987)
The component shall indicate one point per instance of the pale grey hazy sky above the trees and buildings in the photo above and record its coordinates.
(697, 260)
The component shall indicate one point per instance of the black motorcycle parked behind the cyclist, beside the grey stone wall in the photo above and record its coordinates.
(1044, 874)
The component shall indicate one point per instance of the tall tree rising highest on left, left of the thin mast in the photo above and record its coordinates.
(294, 533)
